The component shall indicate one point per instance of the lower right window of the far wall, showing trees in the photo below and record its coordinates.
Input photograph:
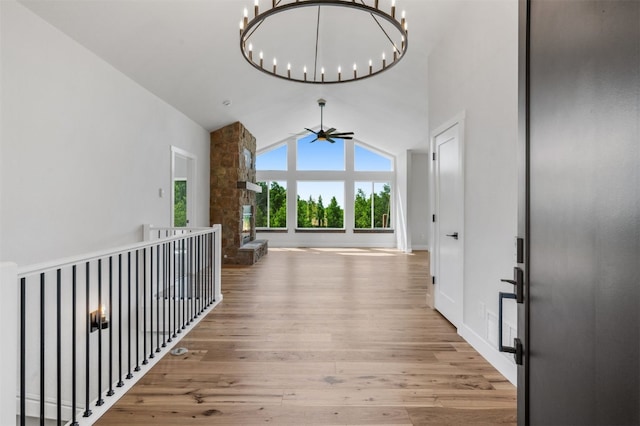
(372, 205)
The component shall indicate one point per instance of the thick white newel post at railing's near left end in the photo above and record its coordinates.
(9, 311)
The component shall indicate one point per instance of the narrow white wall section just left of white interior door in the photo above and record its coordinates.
(419, 216)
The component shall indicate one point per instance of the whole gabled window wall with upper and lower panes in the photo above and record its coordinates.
(324, 192)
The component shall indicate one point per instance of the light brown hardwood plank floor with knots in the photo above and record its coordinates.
(322, 337)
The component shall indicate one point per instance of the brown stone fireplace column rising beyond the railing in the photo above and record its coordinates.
(228, 167)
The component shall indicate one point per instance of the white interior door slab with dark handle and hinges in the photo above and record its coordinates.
(448, 244)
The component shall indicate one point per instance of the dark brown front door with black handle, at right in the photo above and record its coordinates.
(581, 214)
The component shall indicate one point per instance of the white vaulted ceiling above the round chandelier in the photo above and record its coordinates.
(187, 53)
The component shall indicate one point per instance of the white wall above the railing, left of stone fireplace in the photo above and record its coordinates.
(85, 150)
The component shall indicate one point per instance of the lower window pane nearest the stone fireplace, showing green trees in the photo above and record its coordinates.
(271, 205)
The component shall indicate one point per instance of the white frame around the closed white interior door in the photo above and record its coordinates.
(435, 243)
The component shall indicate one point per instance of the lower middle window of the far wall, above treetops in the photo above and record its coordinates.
(320, 205)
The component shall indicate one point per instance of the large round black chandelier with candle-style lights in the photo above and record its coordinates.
(314, 39)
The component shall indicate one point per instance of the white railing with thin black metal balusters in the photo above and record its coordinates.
(91, 326)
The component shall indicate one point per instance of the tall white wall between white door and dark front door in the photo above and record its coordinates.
(474, 69)
